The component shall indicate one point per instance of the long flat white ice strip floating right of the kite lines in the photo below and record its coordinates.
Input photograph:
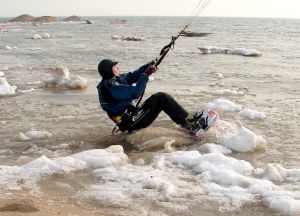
(234, 51)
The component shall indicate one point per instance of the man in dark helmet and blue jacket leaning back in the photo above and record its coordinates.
(117, 92)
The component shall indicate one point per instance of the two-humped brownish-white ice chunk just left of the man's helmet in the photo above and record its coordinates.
(61, 79)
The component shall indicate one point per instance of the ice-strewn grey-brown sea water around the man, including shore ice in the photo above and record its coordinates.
(56, 142)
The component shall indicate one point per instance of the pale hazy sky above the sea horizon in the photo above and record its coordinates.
(226, 8)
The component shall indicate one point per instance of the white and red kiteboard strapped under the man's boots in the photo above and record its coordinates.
(208, 118)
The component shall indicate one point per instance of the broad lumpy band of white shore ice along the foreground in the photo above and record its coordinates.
(180, 175)
